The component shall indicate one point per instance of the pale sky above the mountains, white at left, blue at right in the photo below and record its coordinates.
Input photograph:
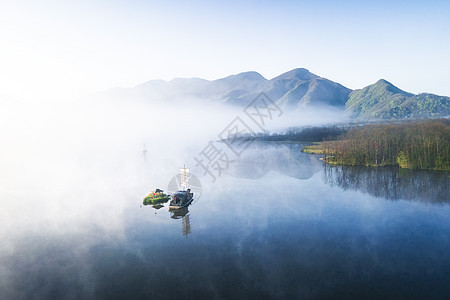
(51, 47)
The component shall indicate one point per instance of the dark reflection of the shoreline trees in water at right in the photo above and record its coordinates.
(391, 183)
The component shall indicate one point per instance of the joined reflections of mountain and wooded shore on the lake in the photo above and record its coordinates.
(389, 183)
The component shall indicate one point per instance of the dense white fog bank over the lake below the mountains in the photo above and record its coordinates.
(97, 142)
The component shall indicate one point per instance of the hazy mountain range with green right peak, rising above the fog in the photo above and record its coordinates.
(300, 89)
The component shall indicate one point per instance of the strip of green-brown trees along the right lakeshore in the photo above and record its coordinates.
(417, 145)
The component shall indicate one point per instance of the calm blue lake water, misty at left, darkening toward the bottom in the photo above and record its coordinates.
(279, 224)
